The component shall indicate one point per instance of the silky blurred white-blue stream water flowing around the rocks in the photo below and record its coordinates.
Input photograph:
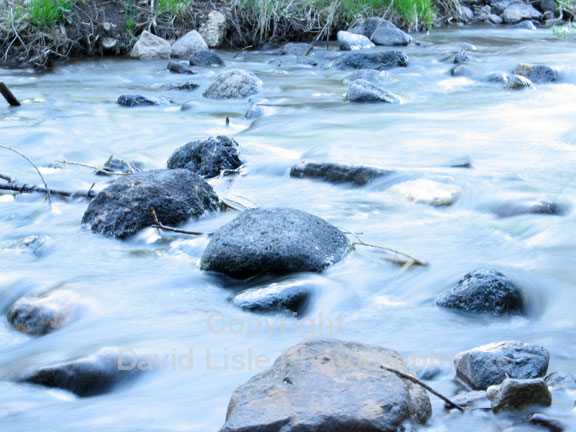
(147, 294)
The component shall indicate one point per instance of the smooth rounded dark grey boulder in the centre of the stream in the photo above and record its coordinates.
(276, 241)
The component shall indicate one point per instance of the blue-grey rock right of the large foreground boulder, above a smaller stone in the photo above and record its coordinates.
(490, 364)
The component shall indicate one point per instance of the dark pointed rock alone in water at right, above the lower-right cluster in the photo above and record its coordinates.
(484, 291)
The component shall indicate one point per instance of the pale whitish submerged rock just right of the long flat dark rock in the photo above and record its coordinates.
(429, 192)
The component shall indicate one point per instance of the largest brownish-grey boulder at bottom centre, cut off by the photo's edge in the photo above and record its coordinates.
(328, 385)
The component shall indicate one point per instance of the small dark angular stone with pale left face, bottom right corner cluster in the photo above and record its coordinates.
(516, 394)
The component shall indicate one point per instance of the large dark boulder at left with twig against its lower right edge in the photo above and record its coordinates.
(123, 208)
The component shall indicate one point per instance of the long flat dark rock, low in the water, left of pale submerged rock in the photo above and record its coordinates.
(335, 173)
